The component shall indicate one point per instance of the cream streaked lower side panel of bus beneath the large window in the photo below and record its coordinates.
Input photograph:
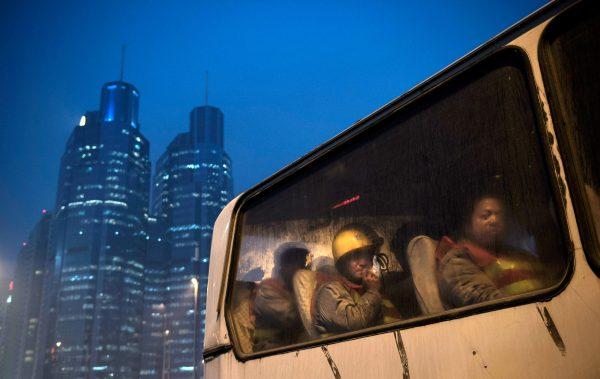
(547, 339)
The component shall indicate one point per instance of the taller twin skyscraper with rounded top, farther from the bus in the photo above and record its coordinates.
(94, 300)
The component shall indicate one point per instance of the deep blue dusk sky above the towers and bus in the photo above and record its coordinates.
(287, 75)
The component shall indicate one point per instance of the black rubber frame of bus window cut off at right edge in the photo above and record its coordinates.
(590, 237)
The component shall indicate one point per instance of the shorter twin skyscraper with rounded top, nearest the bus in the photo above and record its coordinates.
(192, 183)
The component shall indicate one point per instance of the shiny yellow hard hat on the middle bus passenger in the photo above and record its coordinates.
(355, 237)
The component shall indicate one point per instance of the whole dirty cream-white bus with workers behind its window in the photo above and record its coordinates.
(517, 116)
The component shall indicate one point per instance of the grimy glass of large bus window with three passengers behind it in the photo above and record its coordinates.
(444, 204)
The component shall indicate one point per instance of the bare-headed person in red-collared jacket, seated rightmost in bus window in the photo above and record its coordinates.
(480, 266)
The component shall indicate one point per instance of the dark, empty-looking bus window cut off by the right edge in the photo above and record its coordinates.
(570, 50)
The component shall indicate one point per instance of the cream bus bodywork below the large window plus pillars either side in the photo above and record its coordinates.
(553, 339)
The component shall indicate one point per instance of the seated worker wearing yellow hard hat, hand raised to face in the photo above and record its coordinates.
(353, 300)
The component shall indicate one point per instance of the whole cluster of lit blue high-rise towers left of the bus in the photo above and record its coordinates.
(111, 272)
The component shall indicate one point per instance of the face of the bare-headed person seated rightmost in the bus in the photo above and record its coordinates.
(487, 225)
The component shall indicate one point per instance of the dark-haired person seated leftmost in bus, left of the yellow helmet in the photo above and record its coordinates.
(277, 321)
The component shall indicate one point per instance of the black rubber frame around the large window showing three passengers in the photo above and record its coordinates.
(359, 130)
